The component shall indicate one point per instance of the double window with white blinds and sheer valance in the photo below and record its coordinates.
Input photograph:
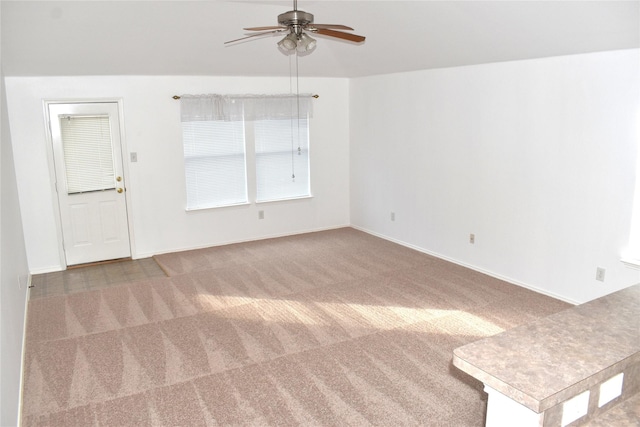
(219, 130)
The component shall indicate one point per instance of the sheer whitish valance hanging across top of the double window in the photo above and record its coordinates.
(244, 107)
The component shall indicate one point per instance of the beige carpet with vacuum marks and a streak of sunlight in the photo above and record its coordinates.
(334, 328)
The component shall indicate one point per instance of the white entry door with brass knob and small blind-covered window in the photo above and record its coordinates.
(89, 181)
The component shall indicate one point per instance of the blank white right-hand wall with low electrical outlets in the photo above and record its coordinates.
(536, 158)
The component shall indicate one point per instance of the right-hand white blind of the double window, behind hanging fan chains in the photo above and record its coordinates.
(282, 159)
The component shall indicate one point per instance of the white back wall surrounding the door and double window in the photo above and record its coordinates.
(156, 183)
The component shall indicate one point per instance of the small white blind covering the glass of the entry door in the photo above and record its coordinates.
(88, 153)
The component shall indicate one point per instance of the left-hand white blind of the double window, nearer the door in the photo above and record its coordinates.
(214, 155)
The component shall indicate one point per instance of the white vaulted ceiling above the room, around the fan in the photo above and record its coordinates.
(46, 38)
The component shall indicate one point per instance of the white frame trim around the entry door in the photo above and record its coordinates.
(52, 171)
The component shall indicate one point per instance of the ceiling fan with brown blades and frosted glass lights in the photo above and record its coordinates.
(297, 24)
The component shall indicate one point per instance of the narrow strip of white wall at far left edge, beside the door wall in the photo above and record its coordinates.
(14, 275)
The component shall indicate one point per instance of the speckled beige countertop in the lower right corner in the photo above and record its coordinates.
(550, 360)
